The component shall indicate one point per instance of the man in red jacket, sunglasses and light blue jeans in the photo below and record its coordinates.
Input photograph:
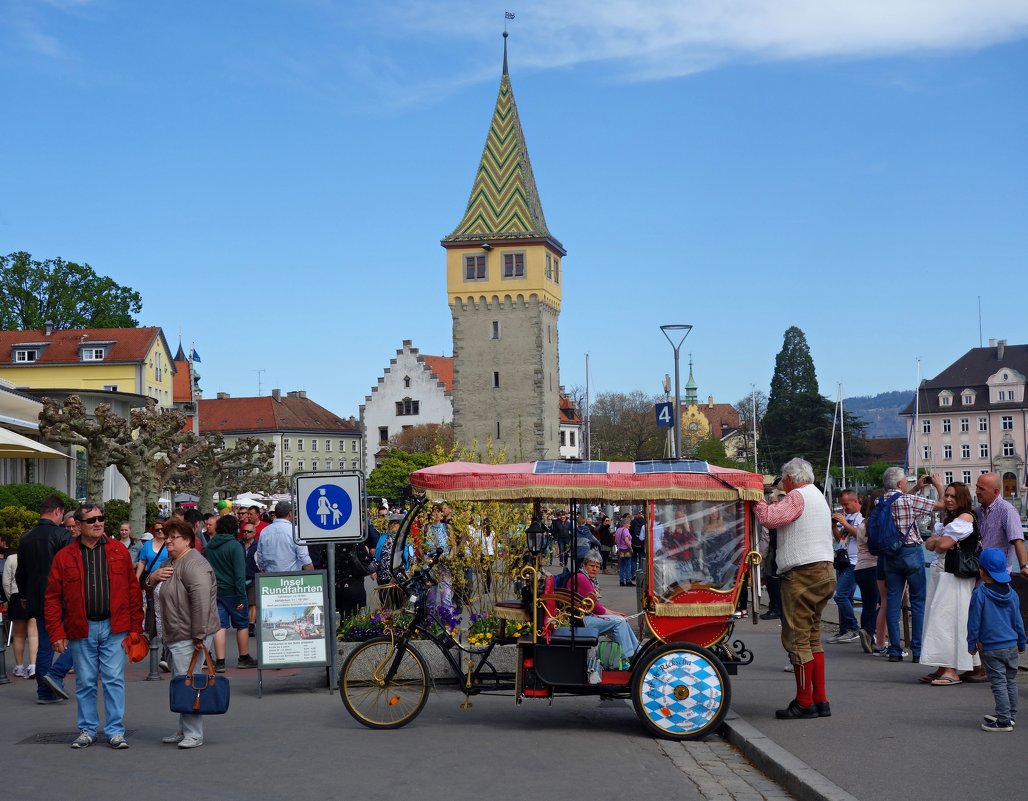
(93, 601)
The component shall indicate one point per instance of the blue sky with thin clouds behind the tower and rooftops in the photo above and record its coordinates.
(275, 177)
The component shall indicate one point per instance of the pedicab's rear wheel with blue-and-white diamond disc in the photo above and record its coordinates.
(681, 691)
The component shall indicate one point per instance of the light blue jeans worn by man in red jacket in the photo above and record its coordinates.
(100, 656)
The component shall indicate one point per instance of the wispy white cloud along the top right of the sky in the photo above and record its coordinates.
(651, 40)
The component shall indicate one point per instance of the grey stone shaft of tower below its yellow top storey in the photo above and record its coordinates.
(527, 404)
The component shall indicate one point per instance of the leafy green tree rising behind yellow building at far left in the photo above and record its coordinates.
(66, 295)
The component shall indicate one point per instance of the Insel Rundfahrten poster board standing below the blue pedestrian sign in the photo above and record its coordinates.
(292, 626)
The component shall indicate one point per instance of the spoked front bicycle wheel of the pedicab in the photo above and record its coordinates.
(371, 699)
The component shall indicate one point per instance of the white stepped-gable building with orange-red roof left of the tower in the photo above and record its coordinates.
(415, 390)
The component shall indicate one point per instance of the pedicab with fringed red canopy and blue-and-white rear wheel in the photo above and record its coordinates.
(701, 535)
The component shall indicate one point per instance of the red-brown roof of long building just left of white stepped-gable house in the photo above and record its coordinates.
(239, 415)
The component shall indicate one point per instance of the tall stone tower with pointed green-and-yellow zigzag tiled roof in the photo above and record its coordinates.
(503, 282)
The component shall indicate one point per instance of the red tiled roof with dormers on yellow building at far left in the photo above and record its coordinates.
(127, 345)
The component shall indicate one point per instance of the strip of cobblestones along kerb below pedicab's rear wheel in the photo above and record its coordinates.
(721, 773)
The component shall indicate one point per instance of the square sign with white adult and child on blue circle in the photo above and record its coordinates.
(329, 507)
